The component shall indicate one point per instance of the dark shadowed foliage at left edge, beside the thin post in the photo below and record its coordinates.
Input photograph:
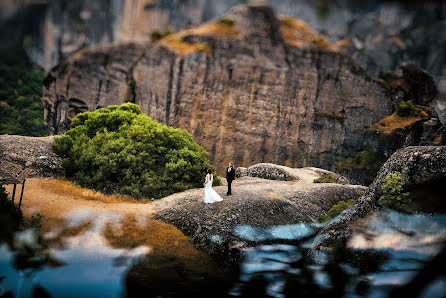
(10, 217)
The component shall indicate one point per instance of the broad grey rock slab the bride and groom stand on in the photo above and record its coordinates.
(256, 205)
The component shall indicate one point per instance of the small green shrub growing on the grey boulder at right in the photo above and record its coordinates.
(393, 192)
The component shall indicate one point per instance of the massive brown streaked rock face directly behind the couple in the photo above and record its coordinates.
(250, 89)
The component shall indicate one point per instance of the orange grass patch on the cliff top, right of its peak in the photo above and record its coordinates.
(298, 34)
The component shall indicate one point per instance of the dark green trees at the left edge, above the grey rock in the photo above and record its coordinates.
(21, 109)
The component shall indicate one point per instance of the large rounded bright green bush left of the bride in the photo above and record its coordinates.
(121, 150)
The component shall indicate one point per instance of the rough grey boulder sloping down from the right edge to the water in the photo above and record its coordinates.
(419, 166)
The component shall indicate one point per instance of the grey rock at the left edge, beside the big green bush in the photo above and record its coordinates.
(31, 152)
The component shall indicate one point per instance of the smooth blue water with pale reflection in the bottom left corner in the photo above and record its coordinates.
(86, 266)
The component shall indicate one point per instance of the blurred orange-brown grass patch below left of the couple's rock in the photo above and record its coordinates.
(166, 241)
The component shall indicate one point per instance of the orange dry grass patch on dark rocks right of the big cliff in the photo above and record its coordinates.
(394, 123)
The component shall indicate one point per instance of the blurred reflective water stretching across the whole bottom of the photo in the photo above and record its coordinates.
(388, 253)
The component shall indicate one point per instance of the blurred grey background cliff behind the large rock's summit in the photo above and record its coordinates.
(379, 34)
